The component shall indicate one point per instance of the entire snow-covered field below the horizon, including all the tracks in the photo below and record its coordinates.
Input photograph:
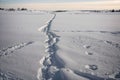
(69, 45)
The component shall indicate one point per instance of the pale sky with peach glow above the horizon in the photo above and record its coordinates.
(61, 4)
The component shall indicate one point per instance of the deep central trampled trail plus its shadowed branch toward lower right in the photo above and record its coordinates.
(51, 66)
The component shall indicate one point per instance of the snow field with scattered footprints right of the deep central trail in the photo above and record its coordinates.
(83, 46)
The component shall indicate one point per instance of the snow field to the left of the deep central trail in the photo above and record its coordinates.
(17, 30)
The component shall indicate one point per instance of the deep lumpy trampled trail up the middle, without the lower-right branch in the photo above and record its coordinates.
(49, 63)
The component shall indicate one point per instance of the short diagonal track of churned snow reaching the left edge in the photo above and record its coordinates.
(11, 49)
